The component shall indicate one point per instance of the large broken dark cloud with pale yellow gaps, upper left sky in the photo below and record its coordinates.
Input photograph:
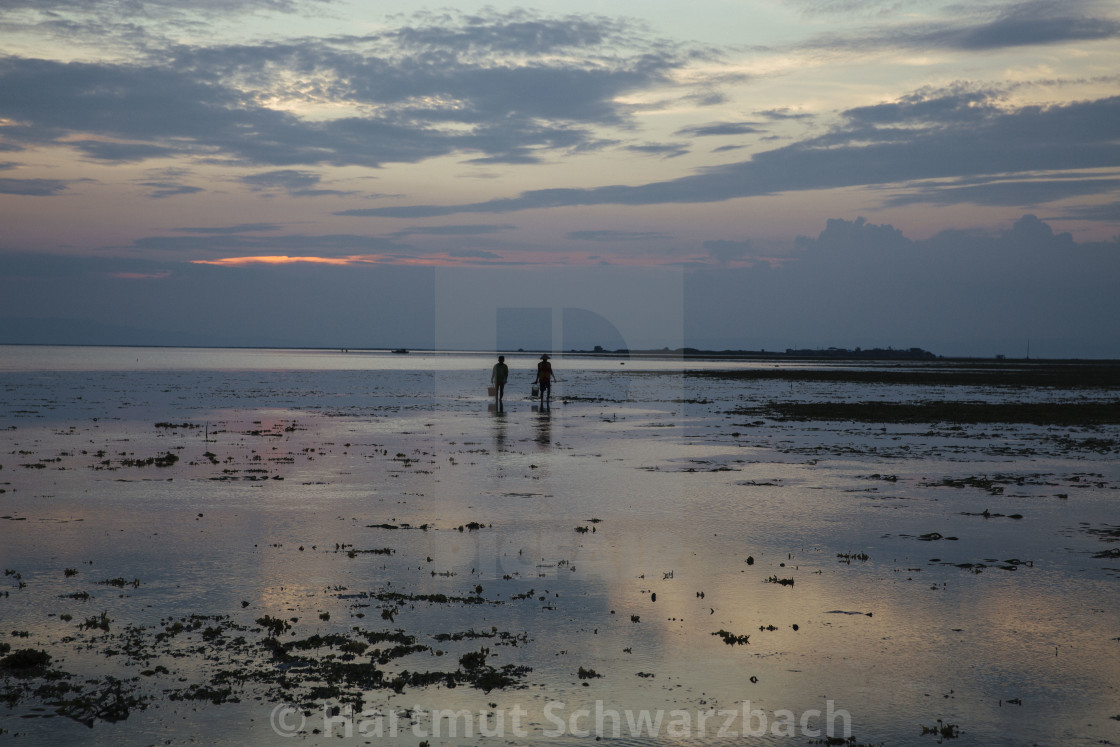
(500, 88)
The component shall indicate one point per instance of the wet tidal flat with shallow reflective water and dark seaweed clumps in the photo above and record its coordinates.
(253, 547)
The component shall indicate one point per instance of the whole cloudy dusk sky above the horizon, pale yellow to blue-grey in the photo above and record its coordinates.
(718, 174)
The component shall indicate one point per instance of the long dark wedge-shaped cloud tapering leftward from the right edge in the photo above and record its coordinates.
(931, 135)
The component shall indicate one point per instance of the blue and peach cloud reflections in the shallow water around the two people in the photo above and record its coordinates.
(684, 488)
